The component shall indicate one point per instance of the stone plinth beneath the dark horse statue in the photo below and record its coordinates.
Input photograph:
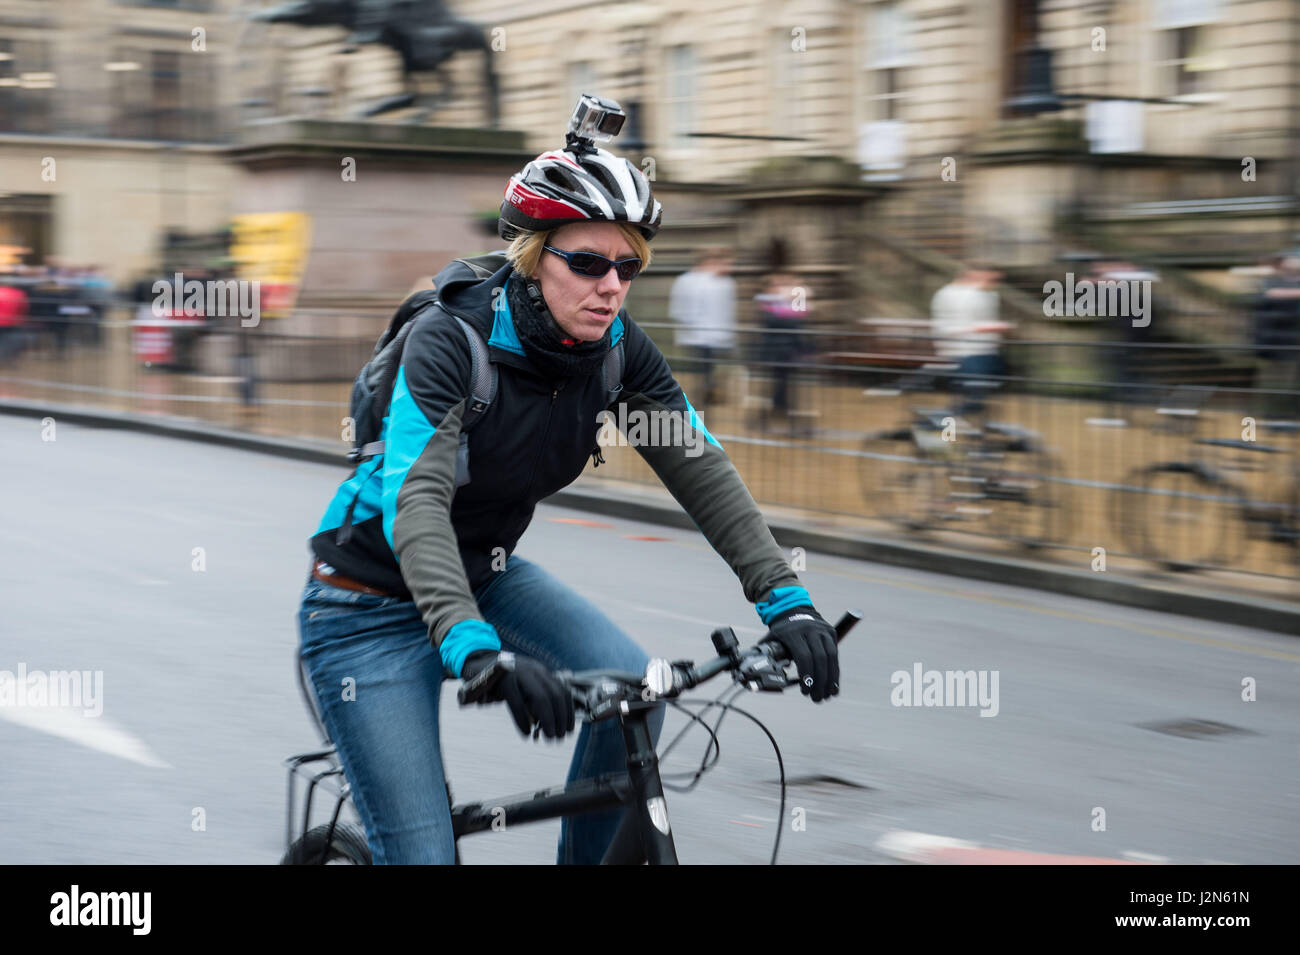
(387, 207)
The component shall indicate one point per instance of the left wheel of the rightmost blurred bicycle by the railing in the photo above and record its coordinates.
(1184, 516)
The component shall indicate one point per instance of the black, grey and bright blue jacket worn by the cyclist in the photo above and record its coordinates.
(424, 529)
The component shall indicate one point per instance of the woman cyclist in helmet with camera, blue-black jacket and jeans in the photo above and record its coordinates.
(414, 576)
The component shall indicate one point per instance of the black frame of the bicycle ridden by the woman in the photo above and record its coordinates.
(643, 836)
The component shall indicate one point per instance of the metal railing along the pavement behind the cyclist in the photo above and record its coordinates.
(1137, 449)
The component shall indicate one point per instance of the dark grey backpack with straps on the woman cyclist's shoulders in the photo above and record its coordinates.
(374, 387)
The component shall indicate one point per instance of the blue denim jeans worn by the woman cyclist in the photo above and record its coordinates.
(387, 735)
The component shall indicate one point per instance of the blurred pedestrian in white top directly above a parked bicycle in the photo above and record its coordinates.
(968, 331)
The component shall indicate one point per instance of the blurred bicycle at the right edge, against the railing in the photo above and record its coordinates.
(1194, 513)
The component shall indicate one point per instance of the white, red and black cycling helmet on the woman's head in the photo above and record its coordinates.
(560, 188)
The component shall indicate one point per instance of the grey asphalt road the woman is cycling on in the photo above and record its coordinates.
(201, 705)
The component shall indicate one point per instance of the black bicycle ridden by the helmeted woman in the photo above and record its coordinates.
(644, 836)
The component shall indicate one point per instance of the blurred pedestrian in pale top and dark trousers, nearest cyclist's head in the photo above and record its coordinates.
(703, 302)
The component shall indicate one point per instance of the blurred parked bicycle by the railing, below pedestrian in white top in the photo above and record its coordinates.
(943, 467)
